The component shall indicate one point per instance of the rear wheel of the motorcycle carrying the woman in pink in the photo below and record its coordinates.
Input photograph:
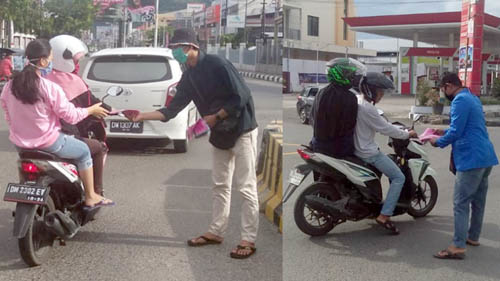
(36, 246)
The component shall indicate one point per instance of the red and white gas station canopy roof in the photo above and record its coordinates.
(432, 28)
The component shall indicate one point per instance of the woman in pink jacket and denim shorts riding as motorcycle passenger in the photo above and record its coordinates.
(33, 106)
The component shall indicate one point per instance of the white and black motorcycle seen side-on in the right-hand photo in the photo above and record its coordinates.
(350, 189)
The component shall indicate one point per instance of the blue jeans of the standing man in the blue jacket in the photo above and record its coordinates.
(471, 187)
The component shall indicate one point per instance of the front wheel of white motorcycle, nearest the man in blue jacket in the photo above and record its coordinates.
(427, 194)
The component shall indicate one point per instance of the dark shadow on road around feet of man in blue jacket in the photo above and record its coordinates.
(415, 252)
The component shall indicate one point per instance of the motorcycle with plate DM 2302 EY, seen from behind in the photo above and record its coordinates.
(50, 201)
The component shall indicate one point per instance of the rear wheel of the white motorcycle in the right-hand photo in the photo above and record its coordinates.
(311, 221)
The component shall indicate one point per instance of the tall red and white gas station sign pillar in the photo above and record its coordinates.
(471, 44)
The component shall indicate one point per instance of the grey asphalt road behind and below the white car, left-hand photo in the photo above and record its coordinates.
(162, 199)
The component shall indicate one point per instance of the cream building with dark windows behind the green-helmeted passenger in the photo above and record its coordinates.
(315, 33)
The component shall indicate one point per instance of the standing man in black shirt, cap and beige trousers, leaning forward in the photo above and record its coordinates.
(225, 102)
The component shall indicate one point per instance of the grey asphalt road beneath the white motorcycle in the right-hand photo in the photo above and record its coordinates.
(362, 250)
